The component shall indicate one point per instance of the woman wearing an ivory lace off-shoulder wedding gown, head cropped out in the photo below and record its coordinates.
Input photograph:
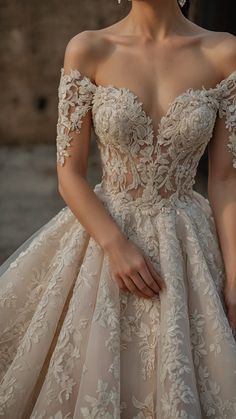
(124, 304)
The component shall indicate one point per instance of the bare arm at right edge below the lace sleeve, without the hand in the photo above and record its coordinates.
(222, 196)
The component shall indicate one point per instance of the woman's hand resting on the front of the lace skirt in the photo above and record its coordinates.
(132, 270)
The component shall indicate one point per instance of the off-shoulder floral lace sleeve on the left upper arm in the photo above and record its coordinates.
(75, 94)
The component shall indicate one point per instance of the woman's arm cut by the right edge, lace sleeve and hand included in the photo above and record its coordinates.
(222, 182)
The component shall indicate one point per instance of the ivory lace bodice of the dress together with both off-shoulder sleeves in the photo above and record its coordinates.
(140, 165)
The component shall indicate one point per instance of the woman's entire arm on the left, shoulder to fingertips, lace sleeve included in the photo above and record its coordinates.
(131, 269)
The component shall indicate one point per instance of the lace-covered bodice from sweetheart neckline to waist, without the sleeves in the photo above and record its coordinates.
(147, 170)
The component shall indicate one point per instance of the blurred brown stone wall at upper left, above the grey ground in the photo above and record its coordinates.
(34, 35)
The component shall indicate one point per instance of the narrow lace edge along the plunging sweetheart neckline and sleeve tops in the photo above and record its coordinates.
(174, 102)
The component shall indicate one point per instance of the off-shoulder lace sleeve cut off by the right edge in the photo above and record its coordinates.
(227, 110)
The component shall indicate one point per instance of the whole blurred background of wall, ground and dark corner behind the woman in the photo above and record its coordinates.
(33, 39)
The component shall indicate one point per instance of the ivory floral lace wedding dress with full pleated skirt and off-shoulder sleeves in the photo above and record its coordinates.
(74, 345)
